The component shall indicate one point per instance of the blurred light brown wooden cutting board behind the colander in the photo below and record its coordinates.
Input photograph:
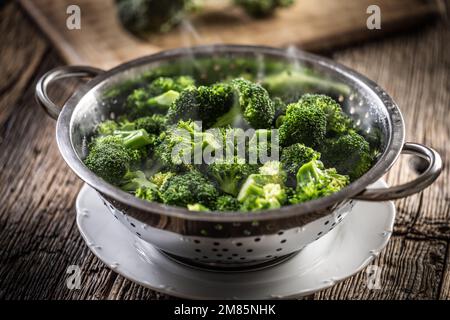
(102, 42)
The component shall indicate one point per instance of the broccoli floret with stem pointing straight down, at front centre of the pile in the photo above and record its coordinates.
(229, 174)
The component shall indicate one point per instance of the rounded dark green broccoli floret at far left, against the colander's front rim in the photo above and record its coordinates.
(109, 158)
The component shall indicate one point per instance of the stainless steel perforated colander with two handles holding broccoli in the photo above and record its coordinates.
(233, 240)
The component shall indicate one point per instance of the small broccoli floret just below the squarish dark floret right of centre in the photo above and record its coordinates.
(295, 156)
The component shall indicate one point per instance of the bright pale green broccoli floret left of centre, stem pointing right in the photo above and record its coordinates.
(183, 145)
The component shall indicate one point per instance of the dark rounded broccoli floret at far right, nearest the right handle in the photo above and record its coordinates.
(350, 154)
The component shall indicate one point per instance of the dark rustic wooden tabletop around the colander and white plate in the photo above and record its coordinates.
(38, 234)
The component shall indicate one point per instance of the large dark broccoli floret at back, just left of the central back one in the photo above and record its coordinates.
(205, 103)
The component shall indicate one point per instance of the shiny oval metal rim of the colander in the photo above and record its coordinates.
(392, 150)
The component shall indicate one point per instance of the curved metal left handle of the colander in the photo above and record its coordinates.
(60, 73)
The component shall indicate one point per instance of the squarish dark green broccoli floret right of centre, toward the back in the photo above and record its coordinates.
(303, 123)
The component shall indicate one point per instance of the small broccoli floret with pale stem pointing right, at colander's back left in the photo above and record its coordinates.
(141, 103)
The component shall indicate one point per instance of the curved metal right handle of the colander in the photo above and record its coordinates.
(430, 174)
